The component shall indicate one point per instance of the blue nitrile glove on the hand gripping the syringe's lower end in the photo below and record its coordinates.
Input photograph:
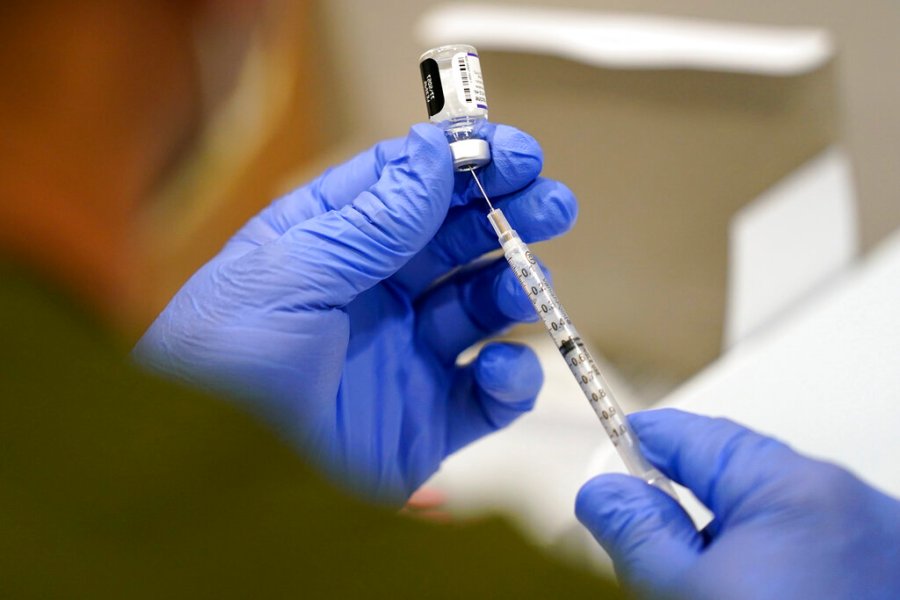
(786, 526)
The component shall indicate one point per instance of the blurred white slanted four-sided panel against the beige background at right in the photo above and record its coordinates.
(789, 242)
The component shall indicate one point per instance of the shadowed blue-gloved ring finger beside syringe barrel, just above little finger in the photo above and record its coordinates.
(469, 307)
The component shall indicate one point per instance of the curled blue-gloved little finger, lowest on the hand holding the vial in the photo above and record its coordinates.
(498, 387)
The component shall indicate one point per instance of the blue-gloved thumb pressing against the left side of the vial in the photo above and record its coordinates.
(325, 262)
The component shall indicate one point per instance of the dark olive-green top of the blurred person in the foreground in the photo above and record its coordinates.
(114, 483)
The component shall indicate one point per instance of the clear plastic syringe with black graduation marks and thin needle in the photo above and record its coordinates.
(524, 264)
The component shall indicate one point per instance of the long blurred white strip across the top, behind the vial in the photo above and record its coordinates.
(629, 41)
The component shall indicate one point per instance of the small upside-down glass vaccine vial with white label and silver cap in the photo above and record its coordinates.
(454, 94)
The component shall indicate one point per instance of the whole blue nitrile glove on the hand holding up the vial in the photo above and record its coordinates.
(324, 313)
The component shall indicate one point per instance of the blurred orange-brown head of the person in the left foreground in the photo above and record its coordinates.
(98, 100)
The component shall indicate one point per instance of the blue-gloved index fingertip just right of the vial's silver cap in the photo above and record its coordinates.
(516, 160)
